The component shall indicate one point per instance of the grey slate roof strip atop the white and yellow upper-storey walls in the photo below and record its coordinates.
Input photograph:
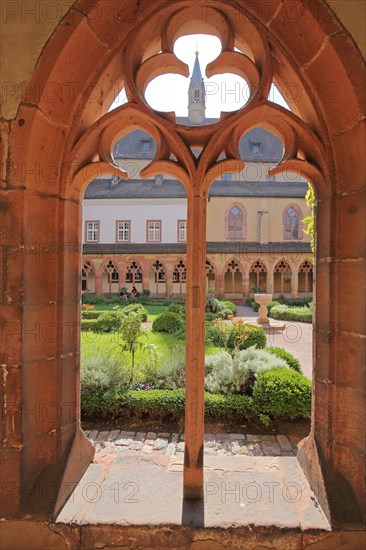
(148, 189)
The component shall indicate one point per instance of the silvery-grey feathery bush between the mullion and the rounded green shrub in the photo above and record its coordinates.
(236, 375)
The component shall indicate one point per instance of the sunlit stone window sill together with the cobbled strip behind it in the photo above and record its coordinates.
(136, 479)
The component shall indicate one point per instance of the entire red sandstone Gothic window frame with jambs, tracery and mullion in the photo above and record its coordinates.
(77, 137)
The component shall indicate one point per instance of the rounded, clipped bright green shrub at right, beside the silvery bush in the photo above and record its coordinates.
(283, 393)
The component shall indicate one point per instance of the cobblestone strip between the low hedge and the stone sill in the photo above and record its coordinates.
(172, 444)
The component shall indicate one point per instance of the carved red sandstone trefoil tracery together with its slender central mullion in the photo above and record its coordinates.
(92, 154)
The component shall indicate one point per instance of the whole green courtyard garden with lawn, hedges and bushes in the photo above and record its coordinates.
(133, 366)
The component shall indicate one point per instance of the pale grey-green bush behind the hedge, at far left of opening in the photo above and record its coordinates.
(102, 371)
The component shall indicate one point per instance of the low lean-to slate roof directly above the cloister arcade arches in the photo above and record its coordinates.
(236, 248)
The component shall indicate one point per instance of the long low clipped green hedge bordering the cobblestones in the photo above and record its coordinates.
(160, 404)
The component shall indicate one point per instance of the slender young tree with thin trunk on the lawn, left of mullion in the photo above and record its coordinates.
(131, 331)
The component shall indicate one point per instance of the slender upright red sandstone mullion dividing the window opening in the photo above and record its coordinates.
(195, 347)
